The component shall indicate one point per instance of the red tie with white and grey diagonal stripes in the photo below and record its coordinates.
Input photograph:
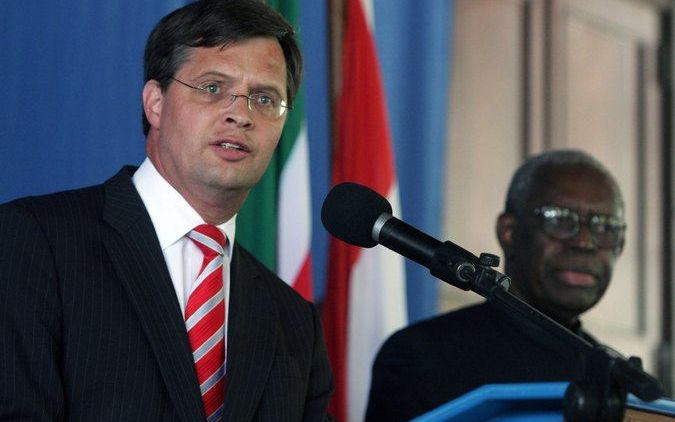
(205, 319)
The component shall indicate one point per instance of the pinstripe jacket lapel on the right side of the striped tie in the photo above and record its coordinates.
(251, 339)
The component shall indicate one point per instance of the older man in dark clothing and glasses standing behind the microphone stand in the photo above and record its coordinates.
(561, 232)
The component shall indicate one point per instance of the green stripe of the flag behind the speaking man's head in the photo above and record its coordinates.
(257, 220)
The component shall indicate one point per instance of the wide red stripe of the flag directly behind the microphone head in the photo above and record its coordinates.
(362, 153)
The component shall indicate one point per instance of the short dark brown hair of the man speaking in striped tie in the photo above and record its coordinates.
(211, 23)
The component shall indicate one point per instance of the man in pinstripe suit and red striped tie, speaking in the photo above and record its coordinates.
(132, 300)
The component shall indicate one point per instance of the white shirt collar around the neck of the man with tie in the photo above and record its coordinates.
(171, 214)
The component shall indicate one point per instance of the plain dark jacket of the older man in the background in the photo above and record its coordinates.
(434, 361)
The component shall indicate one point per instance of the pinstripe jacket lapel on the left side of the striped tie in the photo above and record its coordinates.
(137, 257)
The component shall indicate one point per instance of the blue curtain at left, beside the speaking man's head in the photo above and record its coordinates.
(71, 75)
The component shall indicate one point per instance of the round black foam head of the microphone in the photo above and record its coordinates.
(350, 211)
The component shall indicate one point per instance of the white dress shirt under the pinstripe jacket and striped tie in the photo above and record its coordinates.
(173, 218)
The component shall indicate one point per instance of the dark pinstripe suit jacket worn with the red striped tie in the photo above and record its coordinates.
(91, 328)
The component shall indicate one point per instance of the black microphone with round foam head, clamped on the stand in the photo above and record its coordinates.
(360, 216)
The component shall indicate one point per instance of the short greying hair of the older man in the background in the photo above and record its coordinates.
(528, 174)
